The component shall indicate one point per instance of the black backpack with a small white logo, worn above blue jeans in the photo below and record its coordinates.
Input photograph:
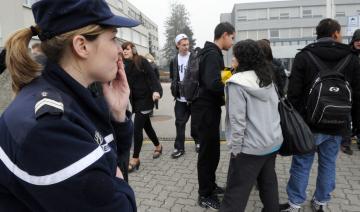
(329, 99)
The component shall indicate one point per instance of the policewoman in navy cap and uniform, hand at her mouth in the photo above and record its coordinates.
(57, 150)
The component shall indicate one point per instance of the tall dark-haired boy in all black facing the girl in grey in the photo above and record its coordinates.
(206, 113)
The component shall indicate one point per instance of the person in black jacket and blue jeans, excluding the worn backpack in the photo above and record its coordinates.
(329, 49)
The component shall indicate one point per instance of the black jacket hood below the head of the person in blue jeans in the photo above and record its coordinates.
(328, 50)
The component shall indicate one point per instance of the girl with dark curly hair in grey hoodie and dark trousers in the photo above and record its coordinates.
(253, 130)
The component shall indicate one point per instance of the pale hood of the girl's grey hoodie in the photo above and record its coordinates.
(248, 81)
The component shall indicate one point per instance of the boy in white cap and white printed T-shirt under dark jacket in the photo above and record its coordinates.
(179, 66)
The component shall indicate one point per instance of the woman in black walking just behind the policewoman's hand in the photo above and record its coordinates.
(145, 89)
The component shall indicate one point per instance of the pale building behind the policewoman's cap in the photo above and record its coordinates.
(17, 14)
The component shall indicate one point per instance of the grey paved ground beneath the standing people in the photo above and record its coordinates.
(166, 184)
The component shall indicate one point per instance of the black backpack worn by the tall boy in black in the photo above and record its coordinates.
(189, 87)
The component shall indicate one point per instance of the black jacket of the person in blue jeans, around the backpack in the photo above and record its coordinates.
(304, 72)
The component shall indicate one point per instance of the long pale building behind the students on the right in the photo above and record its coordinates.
(289, 25)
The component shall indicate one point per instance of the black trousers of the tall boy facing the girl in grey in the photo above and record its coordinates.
(207, 122)
